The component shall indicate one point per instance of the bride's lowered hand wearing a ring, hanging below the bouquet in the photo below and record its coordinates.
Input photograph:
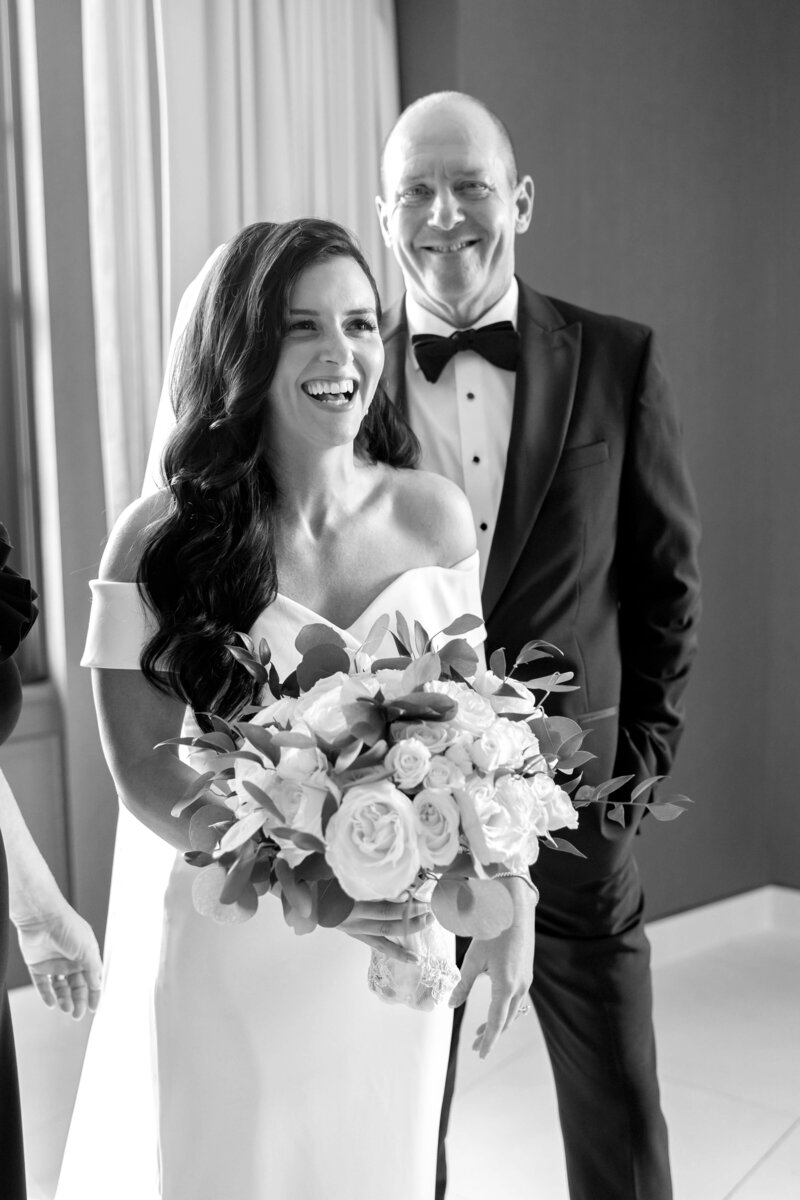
(509, 963)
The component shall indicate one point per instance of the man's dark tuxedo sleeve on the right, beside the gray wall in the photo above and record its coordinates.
(658, 577)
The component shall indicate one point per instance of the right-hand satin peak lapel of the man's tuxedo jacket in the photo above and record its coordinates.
(543, 405)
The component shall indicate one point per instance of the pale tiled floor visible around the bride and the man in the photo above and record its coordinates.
(727, 986)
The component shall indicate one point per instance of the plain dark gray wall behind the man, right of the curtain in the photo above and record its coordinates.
(663, 137)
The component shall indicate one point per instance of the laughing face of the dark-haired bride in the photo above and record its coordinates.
(332, 357)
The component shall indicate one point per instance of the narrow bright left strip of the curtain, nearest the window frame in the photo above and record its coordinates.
(122, 154)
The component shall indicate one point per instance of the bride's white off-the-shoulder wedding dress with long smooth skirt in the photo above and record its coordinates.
(243, 1063)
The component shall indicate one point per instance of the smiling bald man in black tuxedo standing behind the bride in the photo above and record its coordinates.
(568, 445)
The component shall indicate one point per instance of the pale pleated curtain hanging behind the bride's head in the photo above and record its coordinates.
(221, 112)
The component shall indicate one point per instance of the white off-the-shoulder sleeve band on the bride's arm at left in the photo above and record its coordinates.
(119, 626)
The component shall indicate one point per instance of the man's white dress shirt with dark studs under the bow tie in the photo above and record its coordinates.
(464, 421)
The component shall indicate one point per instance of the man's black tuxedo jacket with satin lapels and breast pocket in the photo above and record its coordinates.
(596, 548)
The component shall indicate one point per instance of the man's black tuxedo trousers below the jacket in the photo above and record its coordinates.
(593, 995)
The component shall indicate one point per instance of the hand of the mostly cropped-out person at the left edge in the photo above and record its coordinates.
(63, 958)
